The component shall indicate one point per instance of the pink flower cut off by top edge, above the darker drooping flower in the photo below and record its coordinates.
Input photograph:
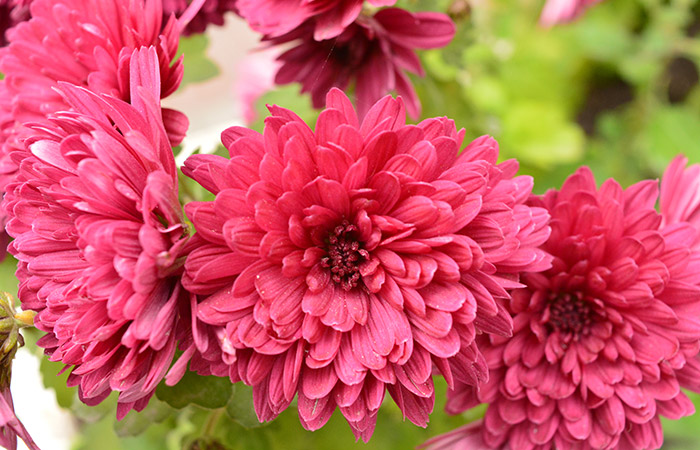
(328, 17)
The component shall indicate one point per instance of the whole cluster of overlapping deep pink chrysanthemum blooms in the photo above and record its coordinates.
(338, 263)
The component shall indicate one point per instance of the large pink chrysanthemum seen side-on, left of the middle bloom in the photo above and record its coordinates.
(99, 236)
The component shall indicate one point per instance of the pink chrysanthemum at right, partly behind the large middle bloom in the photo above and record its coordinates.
(602, 341)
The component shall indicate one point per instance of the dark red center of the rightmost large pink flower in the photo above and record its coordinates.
(569, 314)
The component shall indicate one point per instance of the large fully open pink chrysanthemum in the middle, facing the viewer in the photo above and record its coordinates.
(339, 263)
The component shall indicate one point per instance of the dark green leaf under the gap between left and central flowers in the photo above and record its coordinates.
(209, 392)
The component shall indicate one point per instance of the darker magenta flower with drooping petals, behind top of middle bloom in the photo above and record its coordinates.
(374, 53)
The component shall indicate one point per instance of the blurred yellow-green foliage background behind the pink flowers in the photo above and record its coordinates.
(616, 90)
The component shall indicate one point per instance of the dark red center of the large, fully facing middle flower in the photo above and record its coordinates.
(344, 255)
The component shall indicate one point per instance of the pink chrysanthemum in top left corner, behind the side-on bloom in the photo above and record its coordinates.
(86, 43)
